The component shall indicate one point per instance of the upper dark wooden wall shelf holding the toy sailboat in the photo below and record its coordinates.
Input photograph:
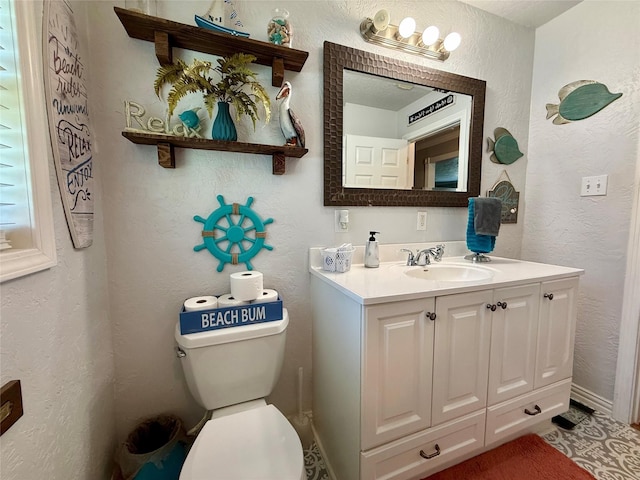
(167, 34)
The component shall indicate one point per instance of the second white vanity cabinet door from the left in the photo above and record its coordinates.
(461, 355)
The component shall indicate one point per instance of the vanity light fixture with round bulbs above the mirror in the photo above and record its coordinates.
(404, 37)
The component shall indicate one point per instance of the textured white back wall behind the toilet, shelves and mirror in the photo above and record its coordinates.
(148, 218)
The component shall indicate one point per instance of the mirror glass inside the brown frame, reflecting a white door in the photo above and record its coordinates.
(404, 136)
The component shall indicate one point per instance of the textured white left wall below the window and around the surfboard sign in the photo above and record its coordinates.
(56, 338)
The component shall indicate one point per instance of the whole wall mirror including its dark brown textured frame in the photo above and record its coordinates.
(399, 134)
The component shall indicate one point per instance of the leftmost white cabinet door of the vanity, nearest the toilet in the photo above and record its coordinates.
(397, 371)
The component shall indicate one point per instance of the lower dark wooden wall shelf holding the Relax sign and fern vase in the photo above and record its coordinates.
(167, 143)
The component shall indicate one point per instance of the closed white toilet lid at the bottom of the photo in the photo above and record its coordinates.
(254, 444)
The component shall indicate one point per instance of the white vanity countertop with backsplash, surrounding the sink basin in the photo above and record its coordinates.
(388, 282)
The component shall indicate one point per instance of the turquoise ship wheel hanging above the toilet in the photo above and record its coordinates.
(233, 233)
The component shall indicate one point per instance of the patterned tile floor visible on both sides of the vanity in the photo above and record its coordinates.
(610, 450)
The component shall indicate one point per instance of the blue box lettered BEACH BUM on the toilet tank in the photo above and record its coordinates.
(227, 317)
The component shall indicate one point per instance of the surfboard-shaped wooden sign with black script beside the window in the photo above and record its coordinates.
(68, 113)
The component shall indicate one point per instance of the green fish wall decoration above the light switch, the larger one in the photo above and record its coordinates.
(579, 100)
